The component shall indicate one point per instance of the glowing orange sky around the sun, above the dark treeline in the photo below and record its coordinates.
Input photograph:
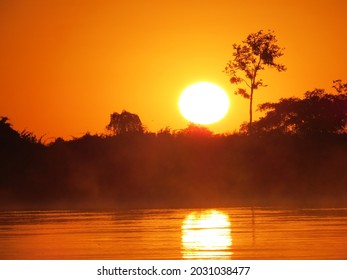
(67, 65)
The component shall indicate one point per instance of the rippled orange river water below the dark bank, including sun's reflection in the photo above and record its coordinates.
(229, 233)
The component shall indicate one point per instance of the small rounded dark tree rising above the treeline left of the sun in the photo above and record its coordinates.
(124, 123)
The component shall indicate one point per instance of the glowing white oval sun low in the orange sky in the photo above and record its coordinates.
(203, 103)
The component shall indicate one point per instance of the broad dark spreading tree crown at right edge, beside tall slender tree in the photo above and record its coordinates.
(317, 113)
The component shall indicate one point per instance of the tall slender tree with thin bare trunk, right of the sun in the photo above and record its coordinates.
(255, 53)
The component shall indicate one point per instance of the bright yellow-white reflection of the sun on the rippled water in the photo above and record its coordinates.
(206, 235)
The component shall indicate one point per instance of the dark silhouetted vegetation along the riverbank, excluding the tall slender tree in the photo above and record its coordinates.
(295, 157)
